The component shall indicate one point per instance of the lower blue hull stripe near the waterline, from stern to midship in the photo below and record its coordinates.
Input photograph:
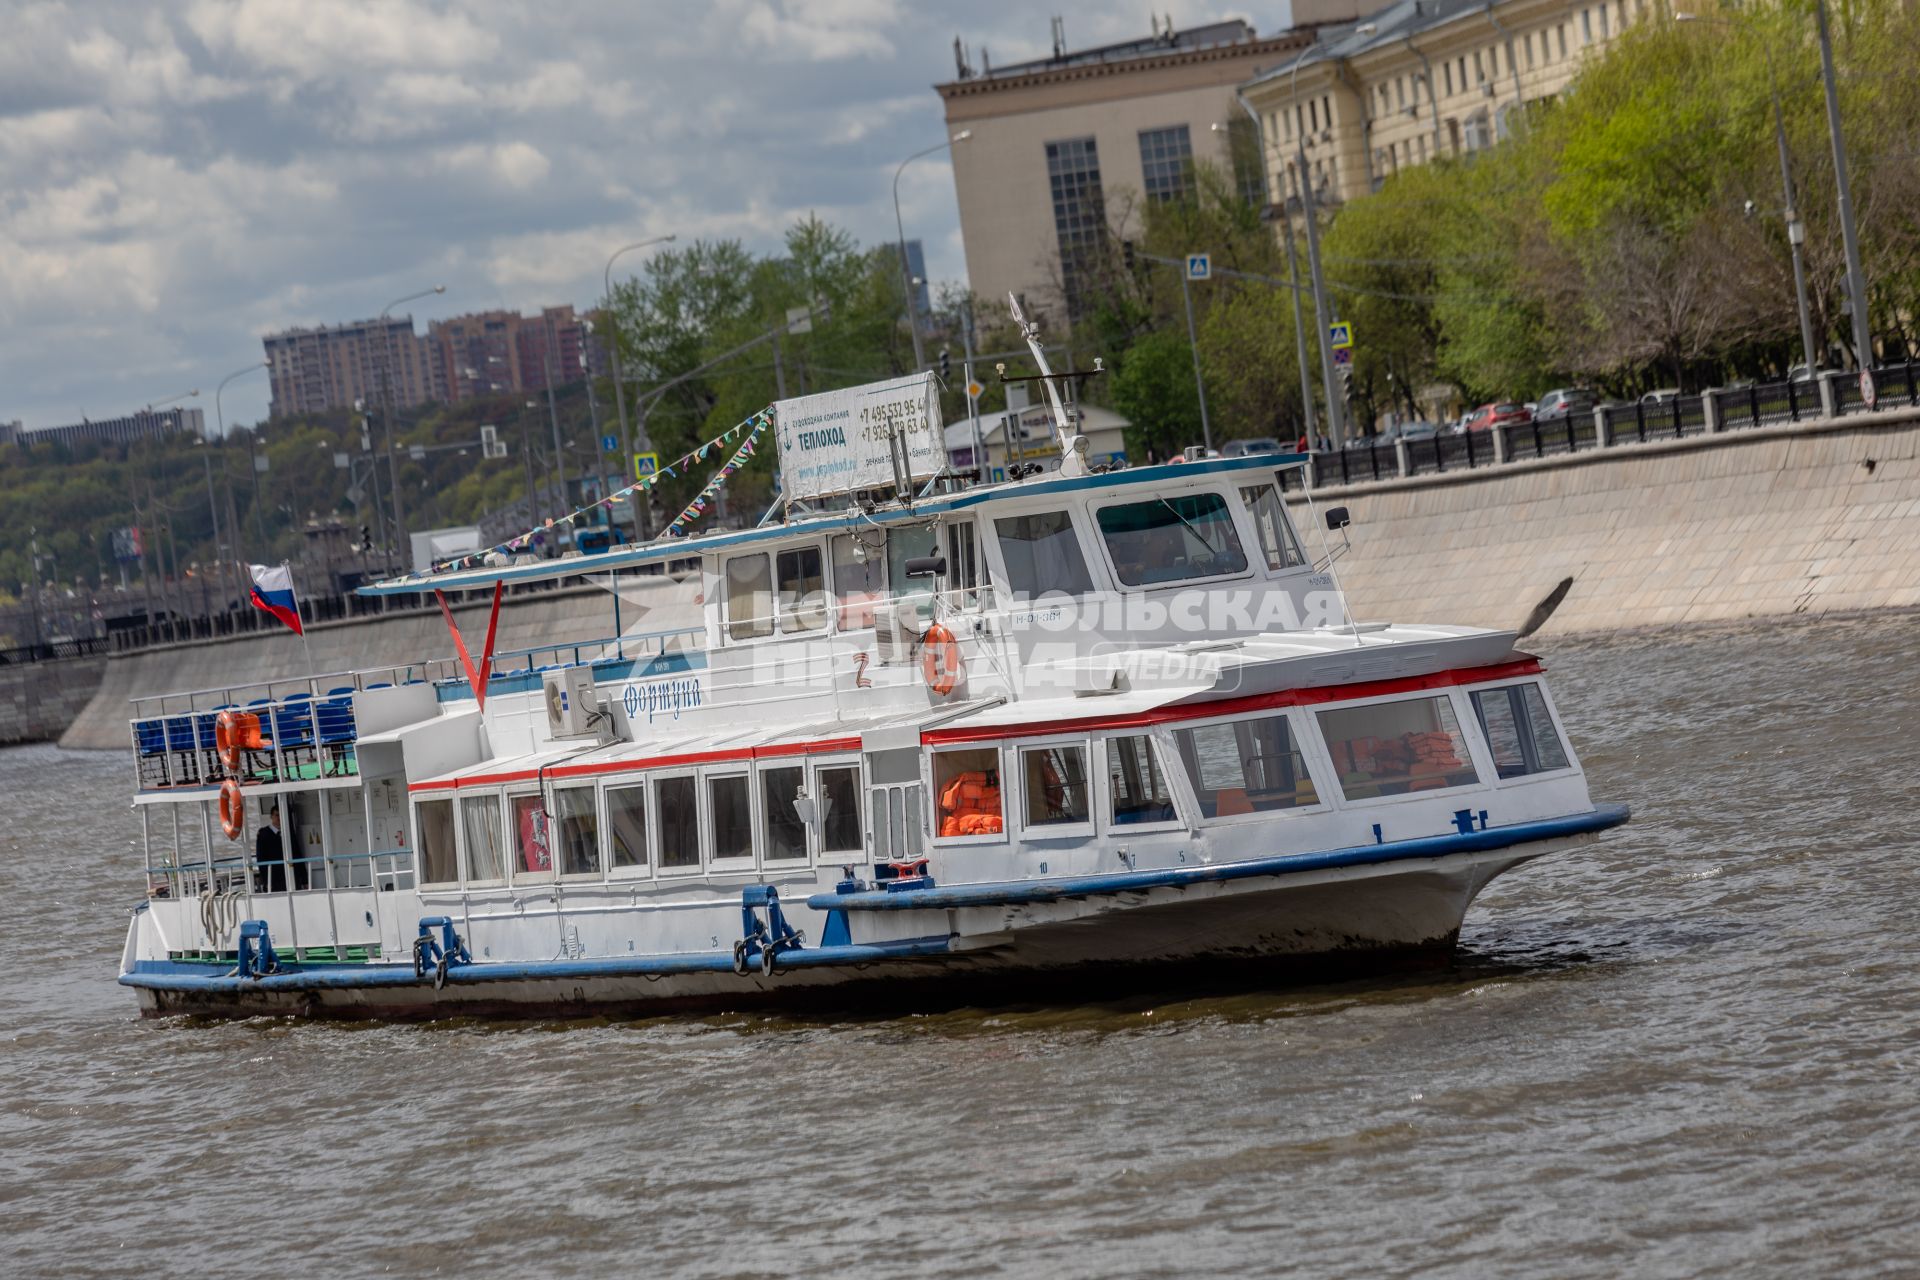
(195, 978)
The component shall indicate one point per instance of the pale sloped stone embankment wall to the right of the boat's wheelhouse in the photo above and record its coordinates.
(1798, 519)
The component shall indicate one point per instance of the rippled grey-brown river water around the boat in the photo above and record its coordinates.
(1691, 1051)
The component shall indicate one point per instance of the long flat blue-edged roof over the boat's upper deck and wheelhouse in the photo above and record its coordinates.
(827, 523)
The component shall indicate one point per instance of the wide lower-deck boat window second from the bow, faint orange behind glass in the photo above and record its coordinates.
(1389, 749)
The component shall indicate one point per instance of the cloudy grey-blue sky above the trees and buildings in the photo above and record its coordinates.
(181, 178)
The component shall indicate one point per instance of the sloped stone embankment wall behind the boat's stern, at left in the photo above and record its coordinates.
(370, 644)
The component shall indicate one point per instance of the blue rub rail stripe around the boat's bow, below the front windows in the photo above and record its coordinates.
(1015, 893)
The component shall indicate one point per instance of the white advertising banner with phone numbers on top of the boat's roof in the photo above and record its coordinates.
(838, 442)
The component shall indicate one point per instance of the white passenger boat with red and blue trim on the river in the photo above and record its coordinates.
(1072, 730)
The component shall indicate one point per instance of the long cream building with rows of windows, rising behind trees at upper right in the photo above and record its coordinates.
(1420, 80)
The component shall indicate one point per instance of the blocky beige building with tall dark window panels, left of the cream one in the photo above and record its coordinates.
(1063, 149)
